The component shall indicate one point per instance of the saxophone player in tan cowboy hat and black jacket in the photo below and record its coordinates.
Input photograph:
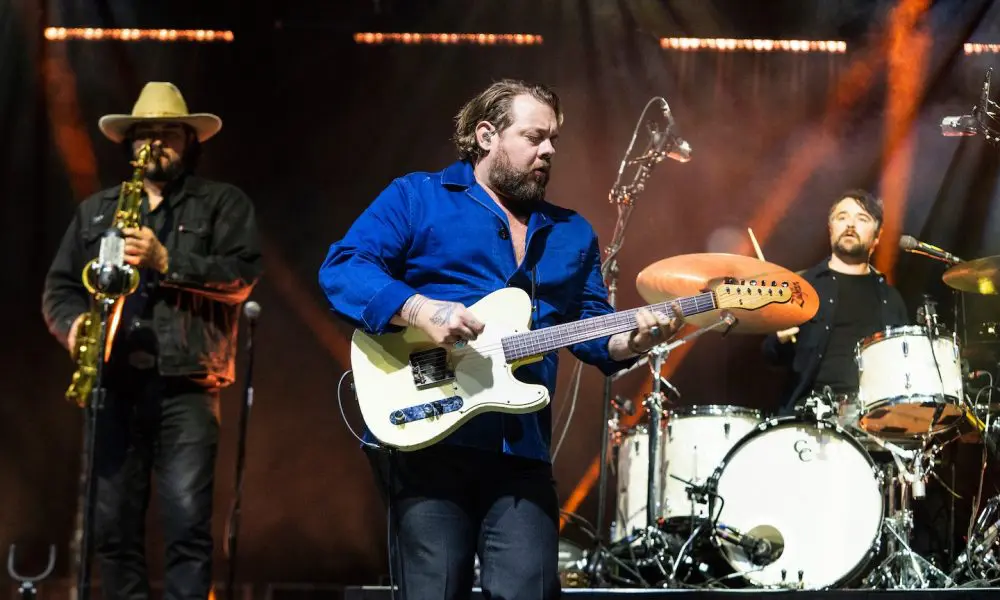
(175, 346)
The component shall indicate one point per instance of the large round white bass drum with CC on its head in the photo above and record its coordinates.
(811, 492)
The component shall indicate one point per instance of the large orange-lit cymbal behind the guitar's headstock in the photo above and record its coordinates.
(691, 274)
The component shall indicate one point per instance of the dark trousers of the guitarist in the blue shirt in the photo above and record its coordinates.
(448, 503)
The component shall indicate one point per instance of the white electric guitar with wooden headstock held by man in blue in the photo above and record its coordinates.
(413, 393)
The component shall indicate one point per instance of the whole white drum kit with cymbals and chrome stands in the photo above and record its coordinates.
(723, 496)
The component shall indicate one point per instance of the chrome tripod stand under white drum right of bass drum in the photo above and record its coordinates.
(904, 568)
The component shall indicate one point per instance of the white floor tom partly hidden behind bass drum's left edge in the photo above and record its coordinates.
(698, 438)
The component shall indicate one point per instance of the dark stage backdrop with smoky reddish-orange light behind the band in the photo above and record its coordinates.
(315, 126)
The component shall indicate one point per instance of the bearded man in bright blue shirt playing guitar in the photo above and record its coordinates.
(427, 247)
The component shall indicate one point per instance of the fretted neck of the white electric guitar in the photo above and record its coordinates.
(549, 339)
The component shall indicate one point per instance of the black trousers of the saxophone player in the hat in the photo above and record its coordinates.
(170, 428)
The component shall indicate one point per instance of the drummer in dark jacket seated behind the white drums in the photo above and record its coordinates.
(855, 302)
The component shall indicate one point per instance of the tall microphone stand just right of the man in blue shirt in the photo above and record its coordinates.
(624, 197)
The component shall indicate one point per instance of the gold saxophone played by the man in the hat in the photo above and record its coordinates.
(108, 286)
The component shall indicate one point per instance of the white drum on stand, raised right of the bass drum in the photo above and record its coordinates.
(905, 381)
